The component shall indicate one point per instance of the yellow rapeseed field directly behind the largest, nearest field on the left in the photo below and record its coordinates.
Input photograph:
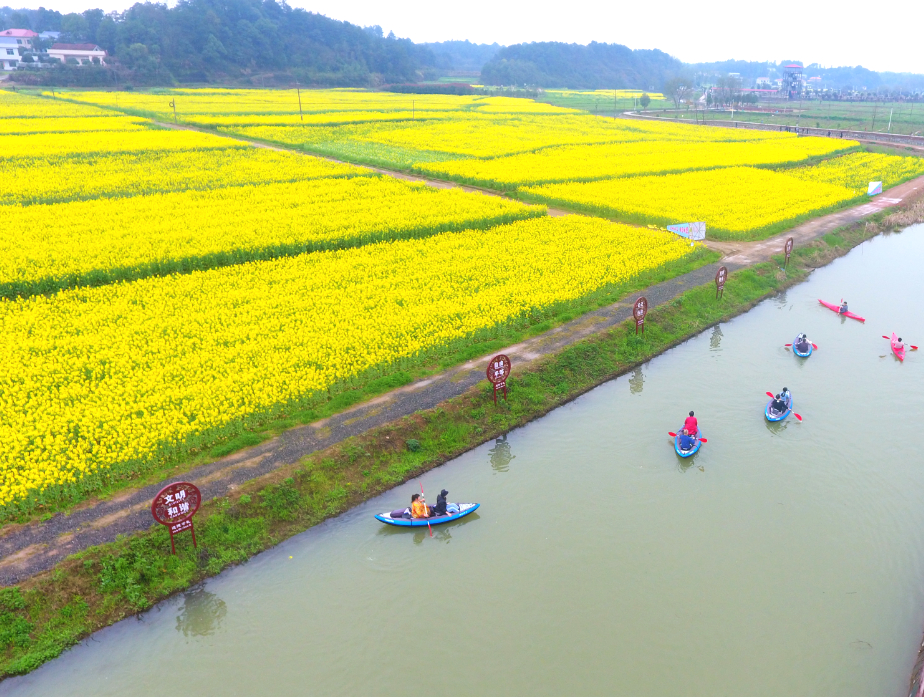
(99, 241)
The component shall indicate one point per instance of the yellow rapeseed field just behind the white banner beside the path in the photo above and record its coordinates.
(734, 202)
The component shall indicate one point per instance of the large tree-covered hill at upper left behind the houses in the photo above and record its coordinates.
(198, 40)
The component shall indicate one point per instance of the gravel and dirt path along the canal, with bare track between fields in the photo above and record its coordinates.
(29, 549)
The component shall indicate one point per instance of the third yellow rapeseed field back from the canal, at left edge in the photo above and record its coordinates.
(29, 180)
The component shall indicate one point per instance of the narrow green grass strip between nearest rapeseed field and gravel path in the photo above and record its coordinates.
(256, 428)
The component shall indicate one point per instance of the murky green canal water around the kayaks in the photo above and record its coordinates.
(781, 560)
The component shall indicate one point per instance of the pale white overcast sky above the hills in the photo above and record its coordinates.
(877, 35)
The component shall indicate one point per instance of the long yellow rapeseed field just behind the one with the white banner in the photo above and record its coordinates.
(590, 162)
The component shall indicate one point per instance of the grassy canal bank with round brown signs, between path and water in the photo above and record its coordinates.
(99, 586)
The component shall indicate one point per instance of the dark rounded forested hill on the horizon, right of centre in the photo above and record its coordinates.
(595, 66)
